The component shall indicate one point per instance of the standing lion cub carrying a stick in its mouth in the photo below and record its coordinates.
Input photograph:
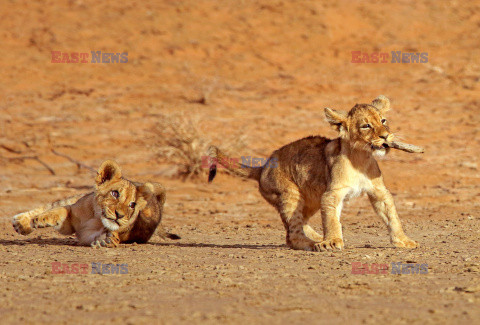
(318, 173)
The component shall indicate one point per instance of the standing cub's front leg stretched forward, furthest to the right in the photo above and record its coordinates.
(384, 206)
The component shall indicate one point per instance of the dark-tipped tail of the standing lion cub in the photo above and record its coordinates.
(232, 165)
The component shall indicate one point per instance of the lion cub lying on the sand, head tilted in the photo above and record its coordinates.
(118, 211)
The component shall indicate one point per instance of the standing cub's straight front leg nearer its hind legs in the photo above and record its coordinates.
(332, 203)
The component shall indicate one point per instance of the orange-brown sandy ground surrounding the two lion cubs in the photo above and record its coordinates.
(263, 71)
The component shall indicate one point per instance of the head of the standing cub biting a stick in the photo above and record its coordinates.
(365, 126)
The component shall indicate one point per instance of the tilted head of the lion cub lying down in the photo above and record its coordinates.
(118, 200)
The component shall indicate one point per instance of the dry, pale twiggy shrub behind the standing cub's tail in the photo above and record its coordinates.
(181, 141)
